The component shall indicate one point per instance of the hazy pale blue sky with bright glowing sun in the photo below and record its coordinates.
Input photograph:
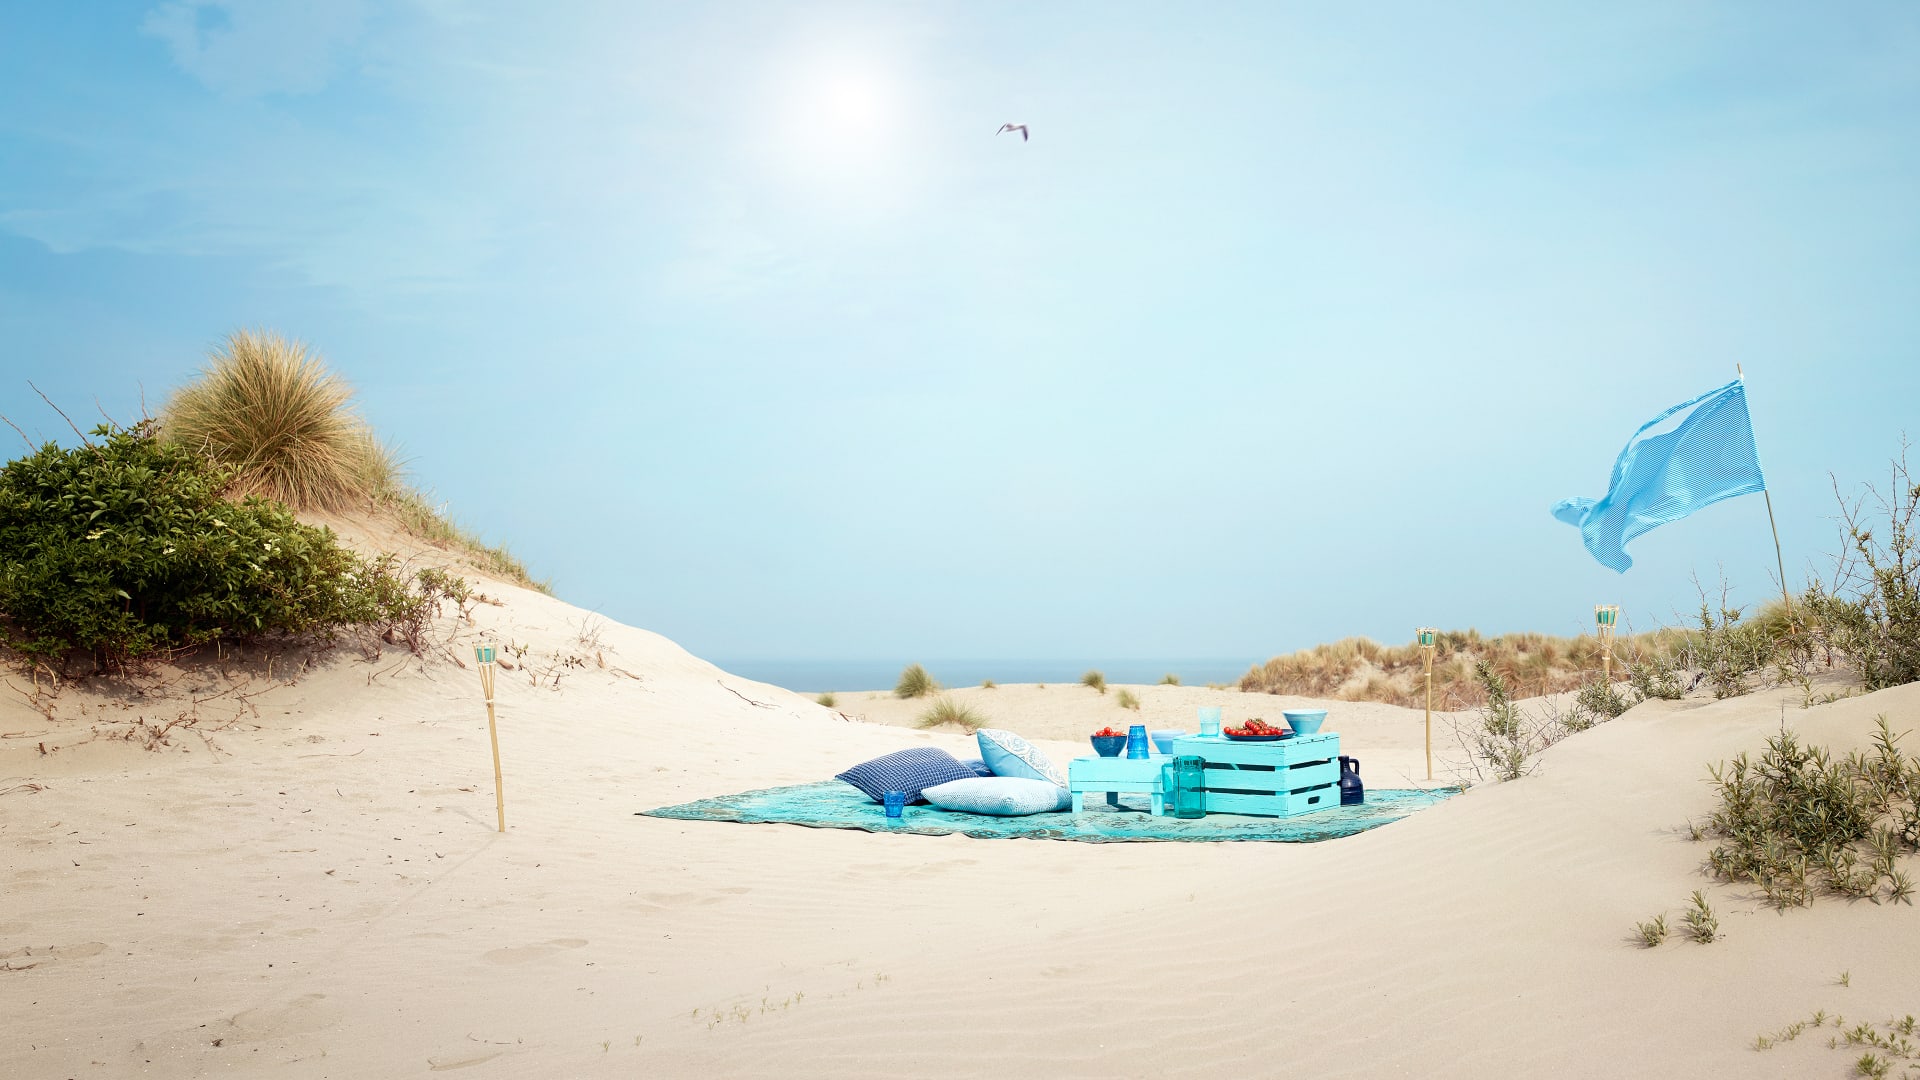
(742, 324)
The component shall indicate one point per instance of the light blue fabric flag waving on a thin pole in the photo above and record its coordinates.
(1691, 456)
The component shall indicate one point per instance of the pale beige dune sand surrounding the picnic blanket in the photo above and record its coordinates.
(304, 879)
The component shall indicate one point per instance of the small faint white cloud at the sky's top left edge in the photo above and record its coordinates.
(256, 47)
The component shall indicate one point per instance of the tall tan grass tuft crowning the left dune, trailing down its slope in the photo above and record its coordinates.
(270, 410)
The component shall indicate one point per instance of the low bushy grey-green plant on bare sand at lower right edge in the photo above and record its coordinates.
(1798, 820)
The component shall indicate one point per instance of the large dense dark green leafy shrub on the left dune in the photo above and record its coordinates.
(126, 549)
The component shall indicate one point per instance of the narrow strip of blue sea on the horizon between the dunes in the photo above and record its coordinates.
(821, 677)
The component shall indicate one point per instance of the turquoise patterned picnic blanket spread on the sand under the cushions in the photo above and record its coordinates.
(832, 804)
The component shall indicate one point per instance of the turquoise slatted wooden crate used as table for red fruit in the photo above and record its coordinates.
(1274, 779)
